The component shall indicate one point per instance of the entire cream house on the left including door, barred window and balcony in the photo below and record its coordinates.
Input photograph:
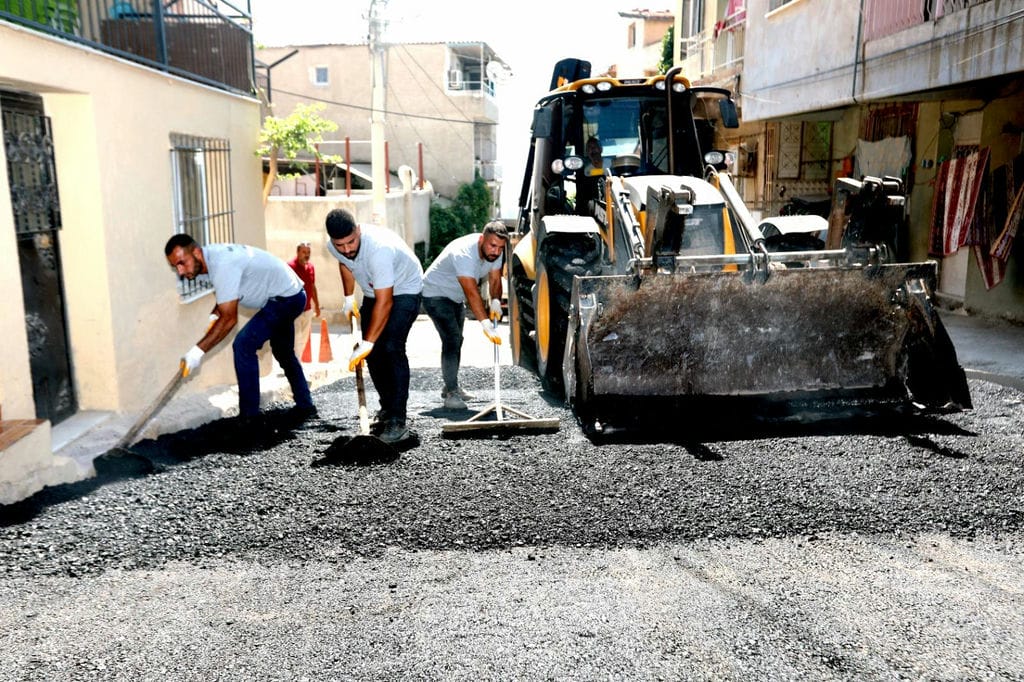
(107, 153)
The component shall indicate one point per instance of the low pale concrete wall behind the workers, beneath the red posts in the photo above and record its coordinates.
(294, 220)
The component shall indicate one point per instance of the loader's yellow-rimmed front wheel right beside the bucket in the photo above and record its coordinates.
(560, 260)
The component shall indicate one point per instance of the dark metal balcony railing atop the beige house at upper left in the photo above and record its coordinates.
(209, 41)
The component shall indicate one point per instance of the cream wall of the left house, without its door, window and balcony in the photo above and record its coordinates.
(112, 121)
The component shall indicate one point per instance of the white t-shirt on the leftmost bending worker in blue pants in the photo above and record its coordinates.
(248, 275)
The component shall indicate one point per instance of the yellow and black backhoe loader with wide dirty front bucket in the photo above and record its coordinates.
(641, 281)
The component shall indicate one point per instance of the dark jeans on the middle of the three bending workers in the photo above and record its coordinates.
(389, 363)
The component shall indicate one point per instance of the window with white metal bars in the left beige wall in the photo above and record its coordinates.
(202, 176)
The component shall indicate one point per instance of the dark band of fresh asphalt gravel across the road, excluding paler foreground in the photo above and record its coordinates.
(961, 475)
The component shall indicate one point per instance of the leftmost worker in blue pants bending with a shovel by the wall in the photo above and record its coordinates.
(253, 279)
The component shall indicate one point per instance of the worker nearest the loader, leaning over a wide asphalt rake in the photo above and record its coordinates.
(452, 283)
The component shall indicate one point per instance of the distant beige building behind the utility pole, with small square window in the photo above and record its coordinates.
(441, 113)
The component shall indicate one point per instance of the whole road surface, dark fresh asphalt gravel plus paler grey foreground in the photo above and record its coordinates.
(887, 548)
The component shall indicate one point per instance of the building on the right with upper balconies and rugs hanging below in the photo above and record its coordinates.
(926, 91)
